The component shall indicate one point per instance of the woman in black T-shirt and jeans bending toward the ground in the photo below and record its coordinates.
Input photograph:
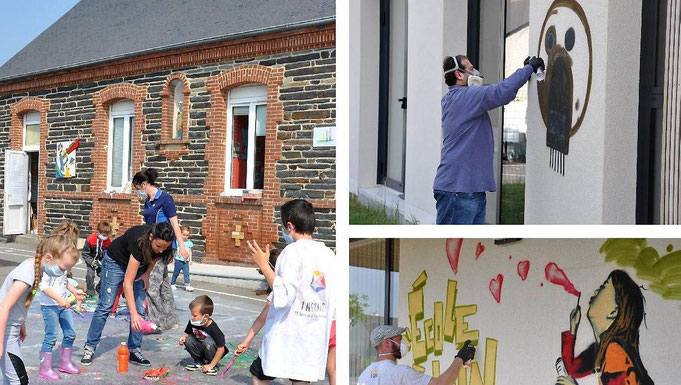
(128, 262)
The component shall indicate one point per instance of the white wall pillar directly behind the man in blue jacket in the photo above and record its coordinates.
(437, 28)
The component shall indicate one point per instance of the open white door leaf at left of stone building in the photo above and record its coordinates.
(16, 193)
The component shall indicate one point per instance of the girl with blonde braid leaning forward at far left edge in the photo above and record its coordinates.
(54, 256)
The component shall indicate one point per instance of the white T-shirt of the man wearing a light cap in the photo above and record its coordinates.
(387, 372)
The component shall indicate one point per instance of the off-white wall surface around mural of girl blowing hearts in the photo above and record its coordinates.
(531, 314)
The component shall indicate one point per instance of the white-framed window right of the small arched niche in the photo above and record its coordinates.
(246, 116)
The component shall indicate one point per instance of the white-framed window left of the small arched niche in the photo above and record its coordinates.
(121, 116)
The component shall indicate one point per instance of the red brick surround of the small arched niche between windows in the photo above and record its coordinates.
(171, 147)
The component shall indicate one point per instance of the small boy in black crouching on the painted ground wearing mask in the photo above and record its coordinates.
(202, 338)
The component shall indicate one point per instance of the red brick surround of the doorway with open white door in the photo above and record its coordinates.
(16, 137)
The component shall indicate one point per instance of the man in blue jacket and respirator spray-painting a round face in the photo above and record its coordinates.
(466, 169)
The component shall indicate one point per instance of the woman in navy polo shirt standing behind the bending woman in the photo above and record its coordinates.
(159, 207)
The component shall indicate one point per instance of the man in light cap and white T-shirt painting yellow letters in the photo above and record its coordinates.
(387, 340)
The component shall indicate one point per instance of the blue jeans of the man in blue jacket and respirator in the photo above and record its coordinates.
(460, 208)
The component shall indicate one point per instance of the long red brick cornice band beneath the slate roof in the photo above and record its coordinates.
(262, 45)
